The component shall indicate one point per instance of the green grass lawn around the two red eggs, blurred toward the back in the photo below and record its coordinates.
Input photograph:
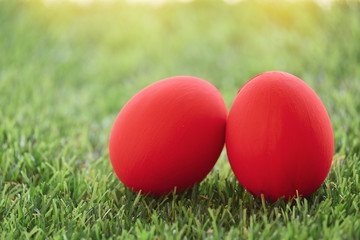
(66, 71)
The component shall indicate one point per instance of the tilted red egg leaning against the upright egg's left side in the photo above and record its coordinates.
(168, 135)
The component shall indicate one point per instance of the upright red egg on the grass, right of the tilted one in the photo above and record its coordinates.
(279, 138)
